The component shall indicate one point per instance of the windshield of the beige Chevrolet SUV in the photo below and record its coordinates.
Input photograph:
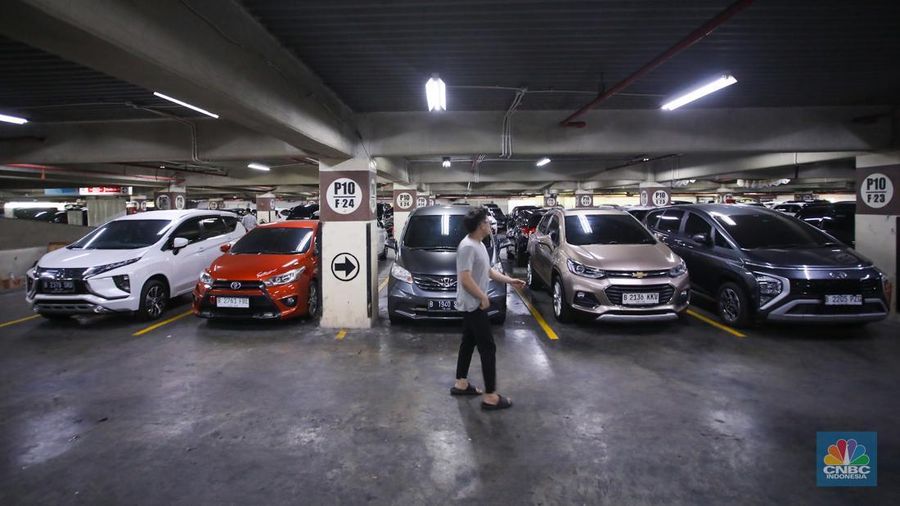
(584, 229)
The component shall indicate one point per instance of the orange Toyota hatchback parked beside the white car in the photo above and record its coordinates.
(272, 272)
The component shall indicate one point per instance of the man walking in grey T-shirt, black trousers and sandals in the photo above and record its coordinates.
(474, 272)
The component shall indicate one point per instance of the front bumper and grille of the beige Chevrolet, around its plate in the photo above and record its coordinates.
(602, 298)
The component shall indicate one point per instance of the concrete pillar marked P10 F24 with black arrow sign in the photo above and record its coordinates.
(349, 262)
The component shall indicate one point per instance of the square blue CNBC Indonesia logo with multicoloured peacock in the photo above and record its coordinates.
(846, 461)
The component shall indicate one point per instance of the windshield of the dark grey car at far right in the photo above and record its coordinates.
(771, 230)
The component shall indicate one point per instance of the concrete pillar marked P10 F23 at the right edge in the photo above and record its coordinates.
(876, 227)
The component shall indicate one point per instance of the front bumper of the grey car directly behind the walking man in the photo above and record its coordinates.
(409, 301)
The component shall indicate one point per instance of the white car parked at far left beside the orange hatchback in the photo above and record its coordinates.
(131, 264)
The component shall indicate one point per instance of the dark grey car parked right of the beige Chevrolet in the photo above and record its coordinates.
(758, 263)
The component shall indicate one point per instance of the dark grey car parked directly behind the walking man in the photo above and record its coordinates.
(422, 283)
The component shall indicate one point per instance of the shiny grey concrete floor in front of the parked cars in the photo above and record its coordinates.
(203, 413)
